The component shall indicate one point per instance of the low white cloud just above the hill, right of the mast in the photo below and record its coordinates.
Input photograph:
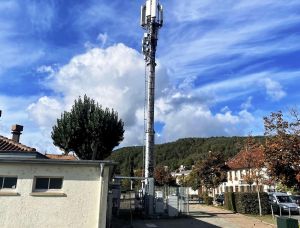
(190, 121)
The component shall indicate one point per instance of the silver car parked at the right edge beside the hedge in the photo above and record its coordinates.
(284, 201)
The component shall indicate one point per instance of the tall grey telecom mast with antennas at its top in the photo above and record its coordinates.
(151, 21)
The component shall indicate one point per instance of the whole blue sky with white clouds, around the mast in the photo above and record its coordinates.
(222, 65)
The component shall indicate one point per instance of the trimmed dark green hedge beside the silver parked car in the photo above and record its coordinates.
(247, 202)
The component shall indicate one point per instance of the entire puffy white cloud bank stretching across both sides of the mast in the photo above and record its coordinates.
(114, 77)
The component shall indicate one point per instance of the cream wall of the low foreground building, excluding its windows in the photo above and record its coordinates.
(79, 207)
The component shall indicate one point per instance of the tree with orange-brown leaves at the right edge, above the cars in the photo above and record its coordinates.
(282, 150)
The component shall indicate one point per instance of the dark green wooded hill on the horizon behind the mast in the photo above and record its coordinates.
(185, 151)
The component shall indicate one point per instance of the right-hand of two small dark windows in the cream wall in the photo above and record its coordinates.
(48, 183)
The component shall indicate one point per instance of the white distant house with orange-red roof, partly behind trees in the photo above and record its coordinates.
(240, 166)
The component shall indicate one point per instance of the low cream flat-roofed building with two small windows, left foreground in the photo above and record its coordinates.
(53, 193)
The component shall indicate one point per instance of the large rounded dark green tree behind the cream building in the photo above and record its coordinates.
(88, 130)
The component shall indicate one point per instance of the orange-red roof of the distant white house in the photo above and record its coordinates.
(247, 159)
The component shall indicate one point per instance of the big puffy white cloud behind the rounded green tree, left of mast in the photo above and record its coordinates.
(114, 77)
